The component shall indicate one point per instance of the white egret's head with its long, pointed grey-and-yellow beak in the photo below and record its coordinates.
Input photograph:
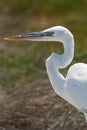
(56, 33)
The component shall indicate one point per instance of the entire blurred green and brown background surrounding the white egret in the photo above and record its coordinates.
(25, 90)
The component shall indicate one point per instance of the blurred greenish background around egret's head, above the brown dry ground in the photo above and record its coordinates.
(27, 61)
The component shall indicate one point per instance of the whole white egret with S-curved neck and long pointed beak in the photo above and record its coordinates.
(73, 88)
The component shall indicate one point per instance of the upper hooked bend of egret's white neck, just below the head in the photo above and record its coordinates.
(61, 61)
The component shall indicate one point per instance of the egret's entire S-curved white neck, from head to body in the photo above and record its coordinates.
(55, 61)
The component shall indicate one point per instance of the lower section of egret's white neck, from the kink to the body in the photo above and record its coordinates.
(57, 80)
